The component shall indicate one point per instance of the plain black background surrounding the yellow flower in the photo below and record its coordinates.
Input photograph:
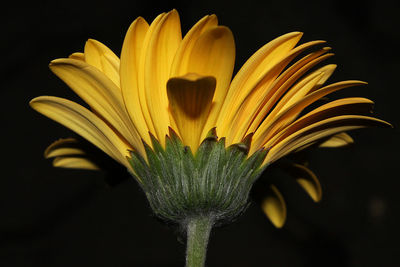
(56, 217)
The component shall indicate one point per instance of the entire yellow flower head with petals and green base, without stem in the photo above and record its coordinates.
(169, 111)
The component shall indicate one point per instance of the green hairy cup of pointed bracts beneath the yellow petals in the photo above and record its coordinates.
(213, 182)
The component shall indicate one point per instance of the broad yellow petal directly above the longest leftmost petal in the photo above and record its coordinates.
(100, 93)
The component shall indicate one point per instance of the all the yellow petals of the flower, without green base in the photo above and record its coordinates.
(163, 81)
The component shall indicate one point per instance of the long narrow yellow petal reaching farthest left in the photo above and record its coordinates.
(84, 123)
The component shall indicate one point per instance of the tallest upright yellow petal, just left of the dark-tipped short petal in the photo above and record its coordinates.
(162, 46)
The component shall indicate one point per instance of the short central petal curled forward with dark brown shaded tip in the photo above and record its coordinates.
(190, 98)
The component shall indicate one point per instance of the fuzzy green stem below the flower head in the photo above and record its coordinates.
(198, 233)
